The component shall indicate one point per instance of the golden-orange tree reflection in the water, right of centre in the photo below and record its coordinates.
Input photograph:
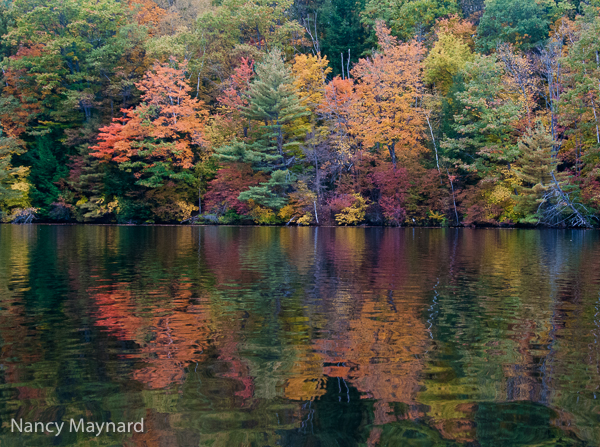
(380, 354)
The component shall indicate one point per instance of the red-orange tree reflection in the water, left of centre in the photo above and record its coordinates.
(170, 336)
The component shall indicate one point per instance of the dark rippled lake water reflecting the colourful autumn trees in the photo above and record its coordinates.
(302, 337)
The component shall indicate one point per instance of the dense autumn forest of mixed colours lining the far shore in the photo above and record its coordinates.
(301, 112)
